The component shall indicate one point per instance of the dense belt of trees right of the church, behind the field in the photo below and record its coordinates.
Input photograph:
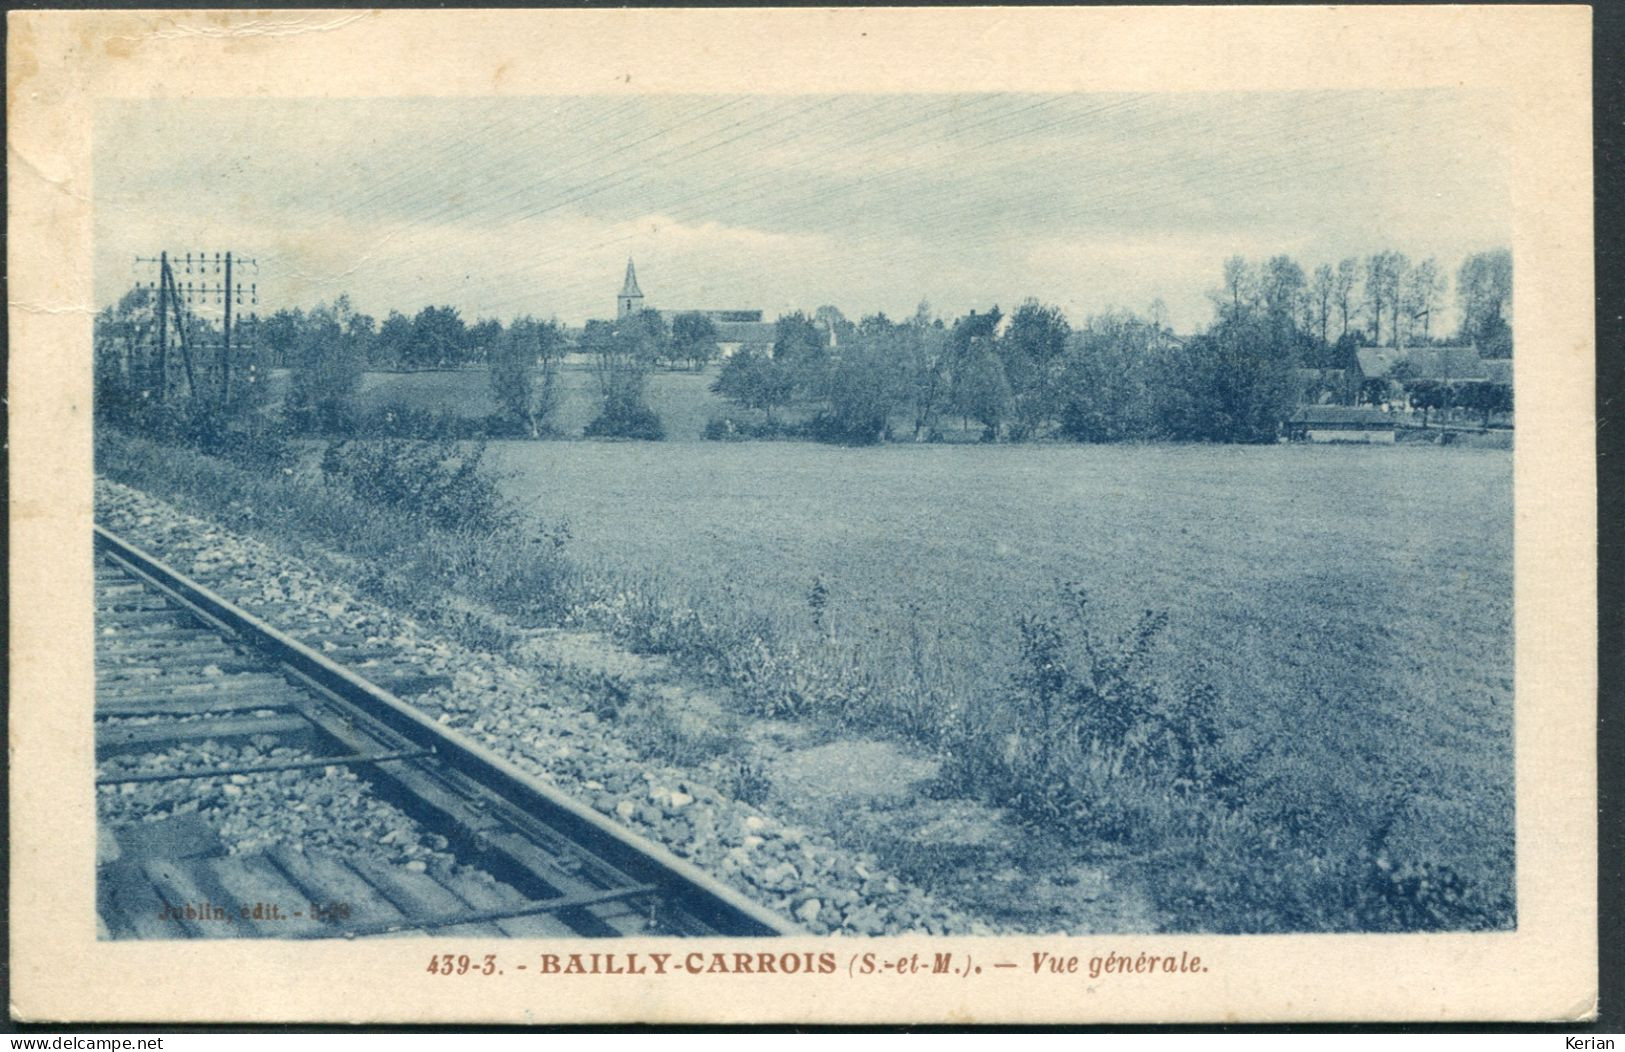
(1120, 376)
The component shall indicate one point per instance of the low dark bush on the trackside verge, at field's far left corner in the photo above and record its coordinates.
(435, 482)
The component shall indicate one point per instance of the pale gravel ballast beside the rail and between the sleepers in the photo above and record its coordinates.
(529, 713)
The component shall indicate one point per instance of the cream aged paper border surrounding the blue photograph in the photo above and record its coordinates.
(1532, 61)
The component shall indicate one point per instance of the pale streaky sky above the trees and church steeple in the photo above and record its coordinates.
(869, 202)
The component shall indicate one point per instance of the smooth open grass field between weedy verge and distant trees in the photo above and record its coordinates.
(1353, 602)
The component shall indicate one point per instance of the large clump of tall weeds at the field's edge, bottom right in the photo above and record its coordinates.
(1090, 742)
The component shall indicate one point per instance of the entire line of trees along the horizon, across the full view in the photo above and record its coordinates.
(1119, 376)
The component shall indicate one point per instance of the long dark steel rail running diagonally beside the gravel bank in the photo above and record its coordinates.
(675, 880)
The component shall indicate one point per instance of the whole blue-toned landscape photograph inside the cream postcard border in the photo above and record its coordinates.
(769, 515)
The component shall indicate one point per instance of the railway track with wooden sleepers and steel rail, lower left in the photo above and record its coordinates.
(199, 703)
